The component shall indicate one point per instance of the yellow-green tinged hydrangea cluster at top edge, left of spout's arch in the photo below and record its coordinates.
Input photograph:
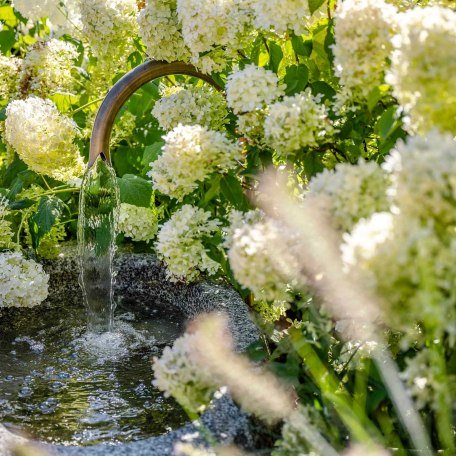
(110, 26)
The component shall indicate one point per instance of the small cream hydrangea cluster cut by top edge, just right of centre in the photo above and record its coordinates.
(289, 15)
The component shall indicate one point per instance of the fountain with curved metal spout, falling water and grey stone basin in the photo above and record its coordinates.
(75, 392)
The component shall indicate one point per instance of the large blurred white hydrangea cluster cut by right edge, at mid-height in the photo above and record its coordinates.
(423, 176)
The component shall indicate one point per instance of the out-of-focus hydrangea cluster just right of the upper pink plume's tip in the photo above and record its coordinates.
(350, 192)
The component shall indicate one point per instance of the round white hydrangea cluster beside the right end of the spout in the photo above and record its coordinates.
(252, 88)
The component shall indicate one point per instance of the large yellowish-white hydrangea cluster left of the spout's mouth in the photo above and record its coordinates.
(43, 138)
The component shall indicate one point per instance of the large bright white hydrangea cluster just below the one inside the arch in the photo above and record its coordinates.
(190, 154)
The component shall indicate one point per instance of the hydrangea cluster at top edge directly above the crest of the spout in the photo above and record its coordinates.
(160, 31)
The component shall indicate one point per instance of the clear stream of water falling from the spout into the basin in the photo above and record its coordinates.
(98, 209)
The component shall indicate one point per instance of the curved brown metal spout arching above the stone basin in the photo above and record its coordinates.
(122, 91)
